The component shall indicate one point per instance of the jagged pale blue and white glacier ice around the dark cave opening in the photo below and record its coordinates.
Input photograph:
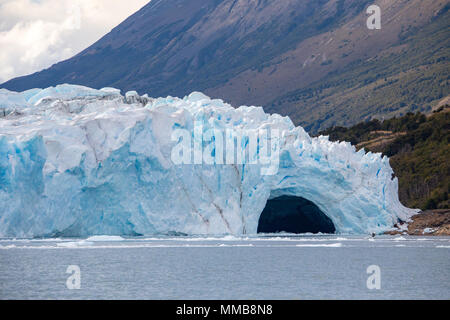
(75, 161)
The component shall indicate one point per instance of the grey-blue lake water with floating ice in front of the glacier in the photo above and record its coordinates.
(259, 267)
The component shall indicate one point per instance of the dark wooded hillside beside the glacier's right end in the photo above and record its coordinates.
(419, 151)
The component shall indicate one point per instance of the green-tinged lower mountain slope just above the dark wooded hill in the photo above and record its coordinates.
(412, 75)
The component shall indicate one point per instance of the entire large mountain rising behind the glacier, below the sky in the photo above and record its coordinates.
(314, 60)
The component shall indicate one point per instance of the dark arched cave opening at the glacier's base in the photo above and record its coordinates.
(294, 215)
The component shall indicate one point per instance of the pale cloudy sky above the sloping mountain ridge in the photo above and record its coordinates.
(34, 34)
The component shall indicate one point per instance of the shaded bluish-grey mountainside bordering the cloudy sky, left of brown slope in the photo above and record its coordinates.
(174, 46)
